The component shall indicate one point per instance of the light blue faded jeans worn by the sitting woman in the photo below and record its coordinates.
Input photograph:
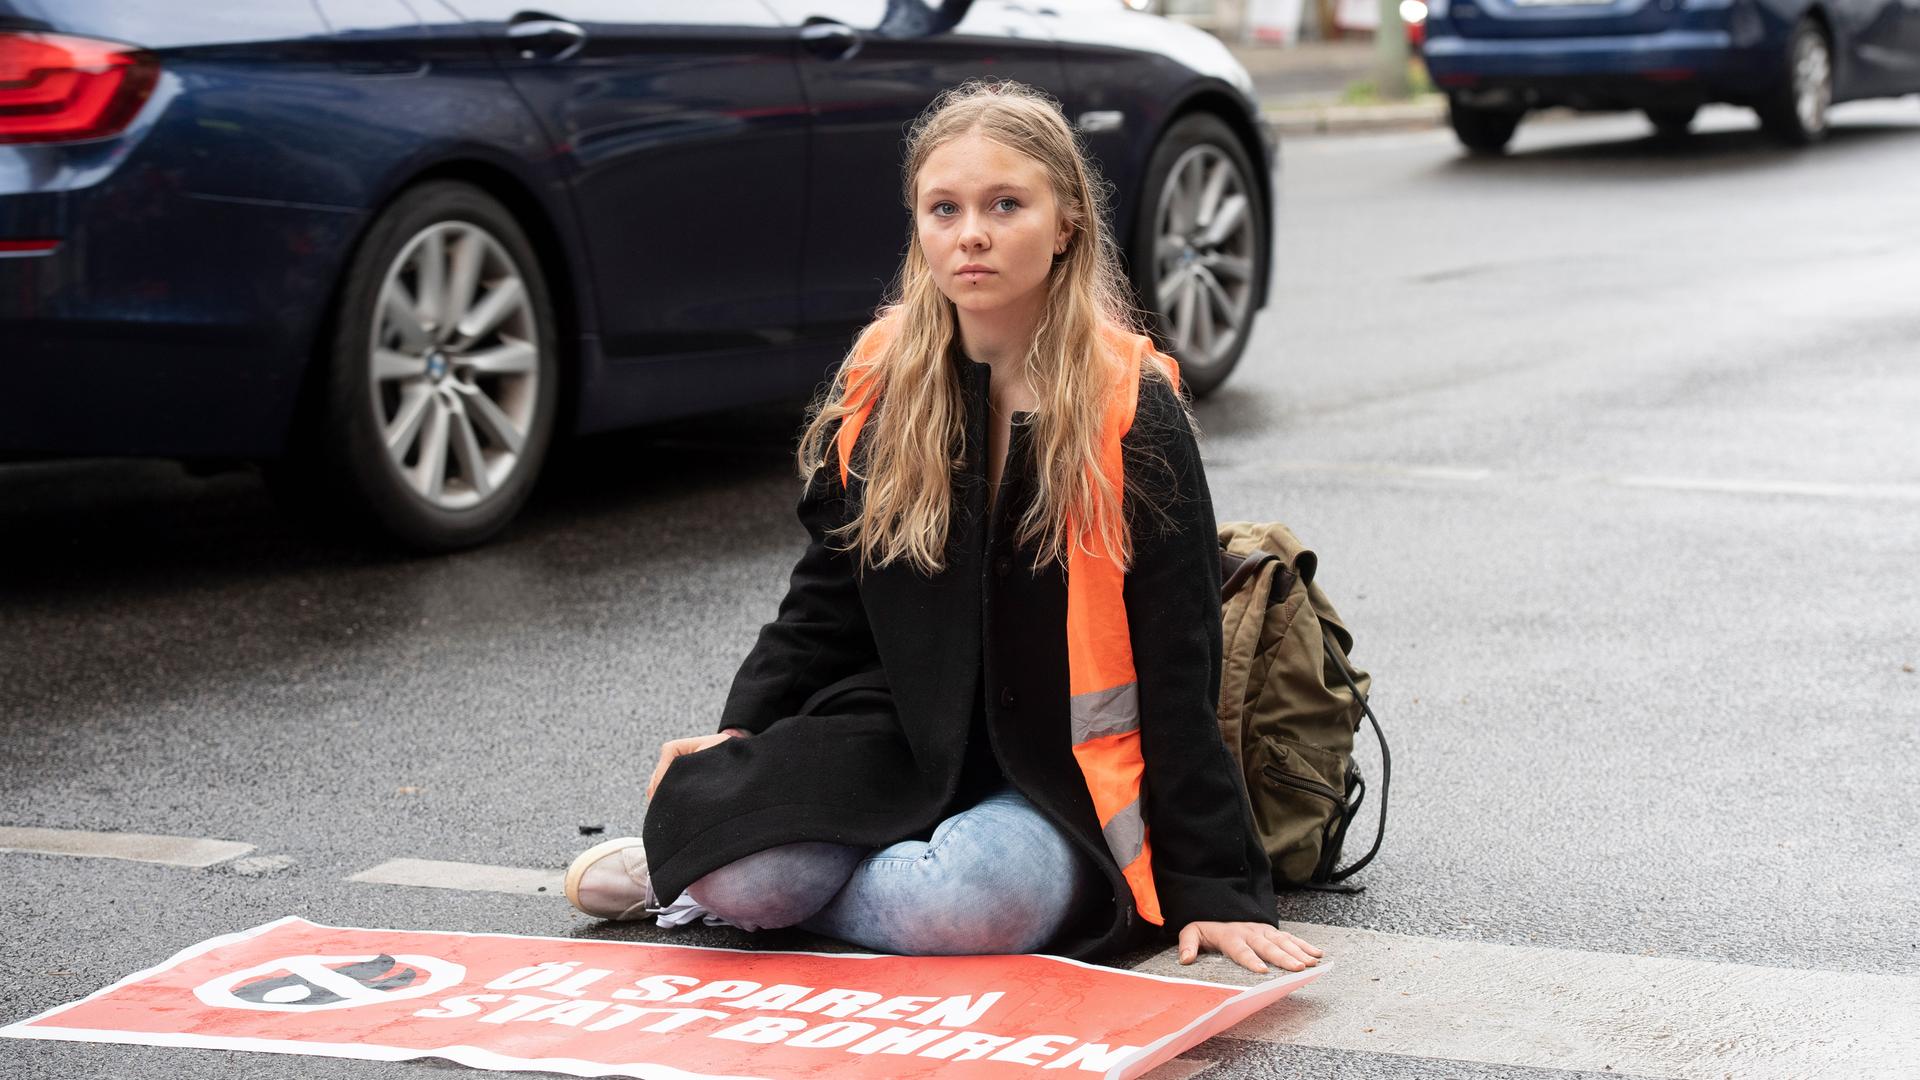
(992, 879)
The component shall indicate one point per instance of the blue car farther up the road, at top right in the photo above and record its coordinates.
(1788, 61)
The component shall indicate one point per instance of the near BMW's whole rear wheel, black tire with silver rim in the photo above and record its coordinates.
(443, 374)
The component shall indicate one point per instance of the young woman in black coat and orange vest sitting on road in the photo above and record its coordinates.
(984, 718)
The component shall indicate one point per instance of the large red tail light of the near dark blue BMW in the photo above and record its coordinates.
(60, 87)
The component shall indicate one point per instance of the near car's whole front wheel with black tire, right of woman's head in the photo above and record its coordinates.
(1199, 251)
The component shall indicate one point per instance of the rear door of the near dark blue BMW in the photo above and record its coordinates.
(684, 128)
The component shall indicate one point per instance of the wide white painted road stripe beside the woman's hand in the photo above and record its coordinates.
(1585, 1012)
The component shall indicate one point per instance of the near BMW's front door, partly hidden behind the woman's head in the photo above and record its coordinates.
(867, 80)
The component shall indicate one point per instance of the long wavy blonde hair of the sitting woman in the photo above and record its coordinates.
(913, 445)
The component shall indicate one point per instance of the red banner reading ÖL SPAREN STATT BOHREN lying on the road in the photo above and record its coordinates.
(654, 1012)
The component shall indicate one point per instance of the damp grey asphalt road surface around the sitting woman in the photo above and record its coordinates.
(1610, 456)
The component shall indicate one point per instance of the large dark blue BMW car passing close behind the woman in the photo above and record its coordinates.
(398, 247)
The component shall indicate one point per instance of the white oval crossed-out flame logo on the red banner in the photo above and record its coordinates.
(308, 985)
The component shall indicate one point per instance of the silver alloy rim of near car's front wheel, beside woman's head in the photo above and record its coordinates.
(1205, 257)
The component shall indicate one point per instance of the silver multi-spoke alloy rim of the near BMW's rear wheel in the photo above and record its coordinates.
(456, 364)
